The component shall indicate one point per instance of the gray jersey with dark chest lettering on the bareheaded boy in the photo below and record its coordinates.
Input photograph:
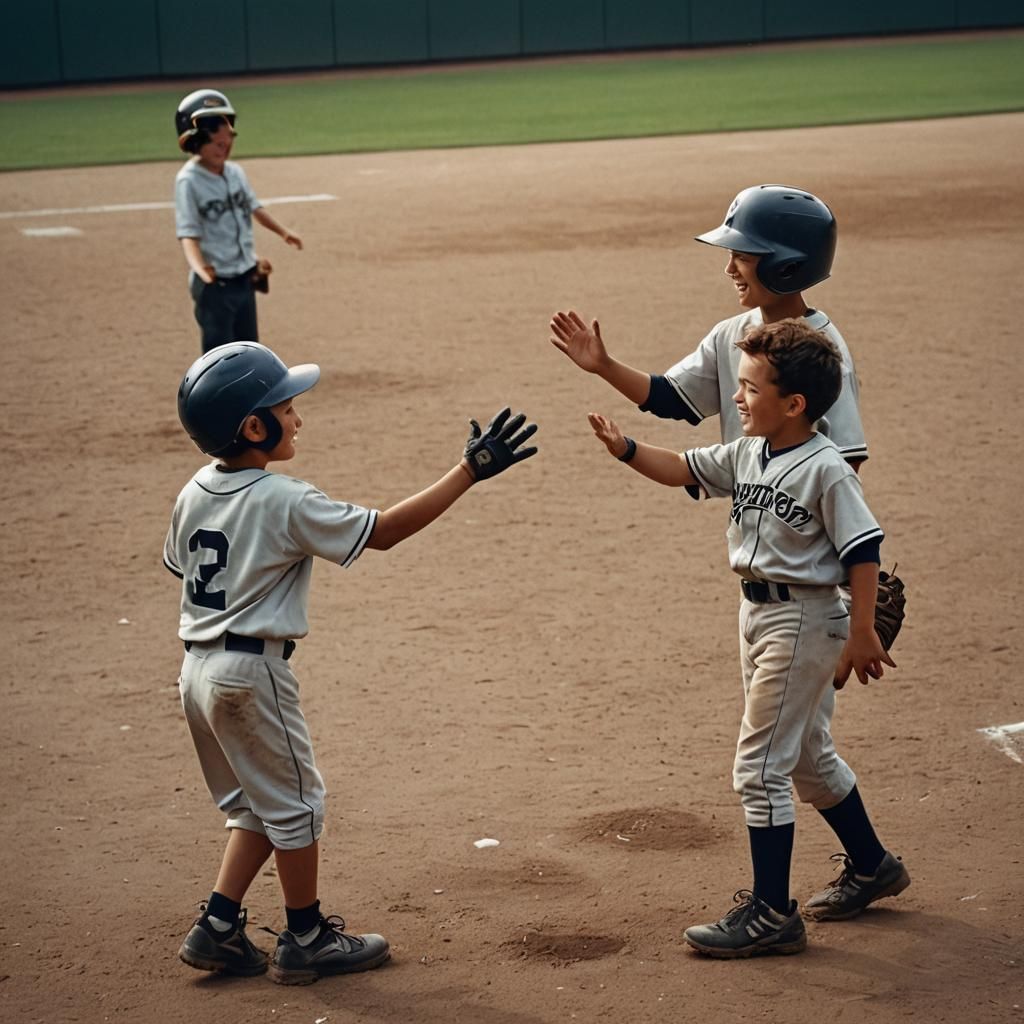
(795, 515)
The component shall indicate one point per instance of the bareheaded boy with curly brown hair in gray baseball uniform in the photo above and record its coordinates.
(799, 527)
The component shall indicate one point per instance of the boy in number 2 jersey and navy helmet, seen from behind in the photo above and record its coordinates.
(243, 541)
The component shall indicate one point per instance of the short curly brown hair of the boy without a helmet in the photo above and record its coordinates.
(805, 361)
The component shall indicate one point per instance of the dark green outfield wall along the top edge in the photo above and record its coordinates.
(46, 42)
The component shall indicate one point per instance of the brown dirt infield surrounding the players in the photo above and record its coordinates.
(554, 664)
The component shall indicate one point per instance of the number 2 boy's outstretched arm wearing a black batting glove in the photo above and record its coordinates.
(488, 453)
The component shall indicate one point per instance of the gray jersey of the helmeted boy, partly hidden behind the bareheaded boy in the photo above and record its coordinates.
(706, 380)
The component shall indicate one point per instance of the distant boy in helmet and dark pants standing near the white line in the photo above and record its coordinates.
(215, 209)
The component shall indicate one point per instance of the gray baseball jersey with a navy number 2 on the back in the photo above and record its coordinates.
(243, 544)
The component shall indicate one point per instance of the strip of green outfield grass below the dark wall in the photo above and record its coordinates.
(534, 102)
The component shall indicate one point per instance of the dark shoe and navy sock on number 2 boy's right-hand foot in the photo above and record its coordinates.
(315, 947)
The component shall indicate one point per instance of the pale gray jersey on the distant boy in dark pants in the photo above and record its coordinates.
(218, 209)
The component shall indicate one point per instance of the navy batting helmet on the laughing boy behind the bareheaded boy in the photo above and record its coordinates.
(792, 231)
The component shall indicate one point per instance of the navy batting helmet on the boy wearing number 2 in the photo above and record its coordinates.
(231, 383)
